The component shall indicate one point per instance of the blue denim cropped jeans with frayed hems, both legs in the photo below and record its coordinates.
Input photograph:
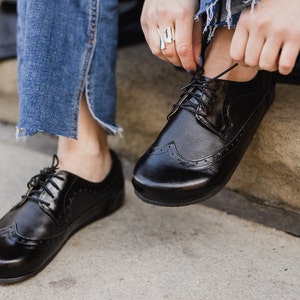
(68, 47)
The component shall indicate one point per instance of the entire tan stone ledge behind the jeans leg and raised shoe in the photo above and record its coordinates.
(147, 89)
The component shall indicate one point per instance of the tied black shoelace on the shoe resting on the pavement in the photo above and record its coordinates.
(38, 183)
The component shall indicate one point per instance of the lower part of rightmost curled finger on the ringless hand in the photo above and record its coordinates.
(288, 57)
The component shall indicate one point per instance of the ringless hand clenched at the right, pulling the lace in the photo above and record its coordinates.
(269, 36)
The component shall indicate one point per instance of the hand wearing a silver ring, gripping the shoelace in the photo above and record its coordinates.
(179, 15)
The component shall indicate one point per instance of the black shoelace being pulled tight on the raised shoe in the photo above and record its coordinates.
(197, 95)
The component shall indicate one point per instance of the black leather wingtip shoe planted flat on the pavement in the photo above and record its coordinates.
(56, 205)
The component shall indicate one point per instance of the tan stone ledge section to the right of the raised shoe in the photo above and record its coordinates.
(270, 170)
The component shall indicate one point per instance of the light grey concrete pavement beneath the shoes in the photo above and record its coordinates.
(148, 252)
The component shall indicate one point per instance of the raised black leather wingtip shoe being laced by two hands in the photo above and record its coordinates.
(203, 141)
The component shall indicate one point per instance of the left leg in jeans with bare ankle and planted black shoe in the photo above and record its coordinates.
(85, 182)
